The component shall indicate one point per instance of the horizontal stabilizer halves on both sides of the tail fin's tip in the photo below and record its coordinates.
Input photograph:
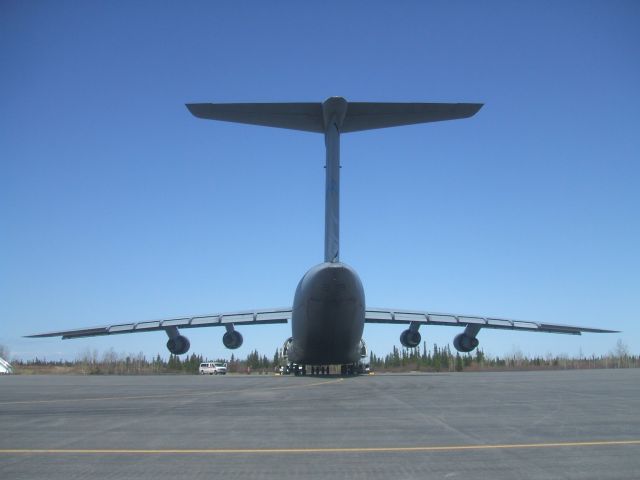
(309, 116)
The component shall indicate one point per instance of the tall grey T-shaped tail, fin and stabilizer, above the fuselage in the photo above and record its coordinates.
(333, 117)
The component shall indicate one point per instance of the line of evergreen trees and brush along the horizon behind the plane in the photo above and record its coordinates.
(436, 359)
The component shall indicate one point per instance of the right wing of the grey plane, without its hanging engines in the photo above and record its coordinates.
(395, 316)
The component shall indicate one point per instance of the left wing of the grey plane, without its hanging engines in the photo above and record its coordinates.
(252, 317)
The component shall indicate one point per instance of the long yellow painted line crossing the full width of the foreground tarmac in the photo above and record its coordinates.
(246, 451)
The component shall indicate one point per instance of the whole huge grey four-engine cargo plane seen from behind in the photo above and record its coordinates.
(329, 310)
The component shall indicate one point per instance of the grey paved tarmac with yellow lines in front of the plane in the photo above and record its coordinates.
(528, 425)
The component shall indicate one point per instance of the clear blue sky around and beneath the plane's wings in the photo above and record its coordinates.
(117, 205)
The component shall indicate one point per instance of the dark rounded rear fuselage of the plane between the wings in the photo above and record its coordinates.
(328, 316)
